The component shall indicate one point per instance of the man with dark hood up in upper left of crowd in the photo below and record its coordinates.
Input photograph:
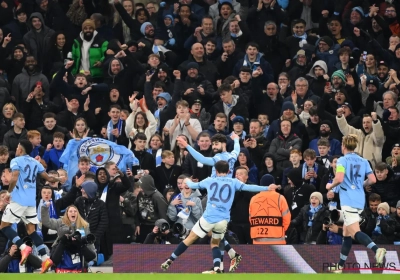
(38, 39)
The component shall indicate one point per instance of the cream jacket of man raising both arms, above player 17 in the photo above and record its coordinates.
(370, 145)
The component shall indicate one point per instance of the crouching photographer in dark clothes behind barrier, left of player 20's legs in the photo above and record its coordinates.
(162, 234)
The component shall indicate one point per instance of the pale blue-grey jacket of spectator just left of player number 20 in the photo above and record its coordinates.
(195, 213)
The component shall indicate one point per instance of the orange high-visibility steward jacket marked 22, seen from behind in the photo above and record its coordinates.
(269, 217)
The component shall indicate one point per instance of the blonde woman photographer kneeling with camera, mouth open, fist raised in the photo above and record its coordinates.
(74, 241)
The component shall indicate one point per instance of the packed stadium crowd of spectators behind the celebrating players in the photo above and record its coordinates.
(290, 78)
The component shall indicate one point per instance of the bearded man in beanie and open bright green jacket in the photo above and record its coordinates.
(88, 51)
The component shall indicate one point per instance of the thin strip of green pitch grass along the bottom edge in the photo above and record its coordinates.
(172, 276)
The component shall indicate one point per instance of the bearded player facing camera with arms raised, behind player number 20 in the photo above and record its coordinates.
(219, 149)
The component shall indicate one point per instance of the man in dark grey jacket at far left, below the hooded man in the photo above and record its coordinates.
(24, 82)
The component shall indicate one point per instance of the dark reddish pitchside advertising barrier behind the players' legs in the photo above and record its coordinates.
(138, 258)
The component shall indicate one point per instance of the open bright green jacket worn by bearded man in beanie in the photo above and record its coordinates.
(97, 52)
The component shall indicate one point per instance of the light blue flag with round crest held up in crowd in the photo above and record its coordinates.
(99, 151)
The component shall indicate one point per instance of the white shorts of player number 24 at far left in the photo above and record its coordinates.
(15, 213)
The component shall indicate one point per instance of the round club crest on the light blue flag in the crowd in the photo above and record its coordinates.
(98, 151)
